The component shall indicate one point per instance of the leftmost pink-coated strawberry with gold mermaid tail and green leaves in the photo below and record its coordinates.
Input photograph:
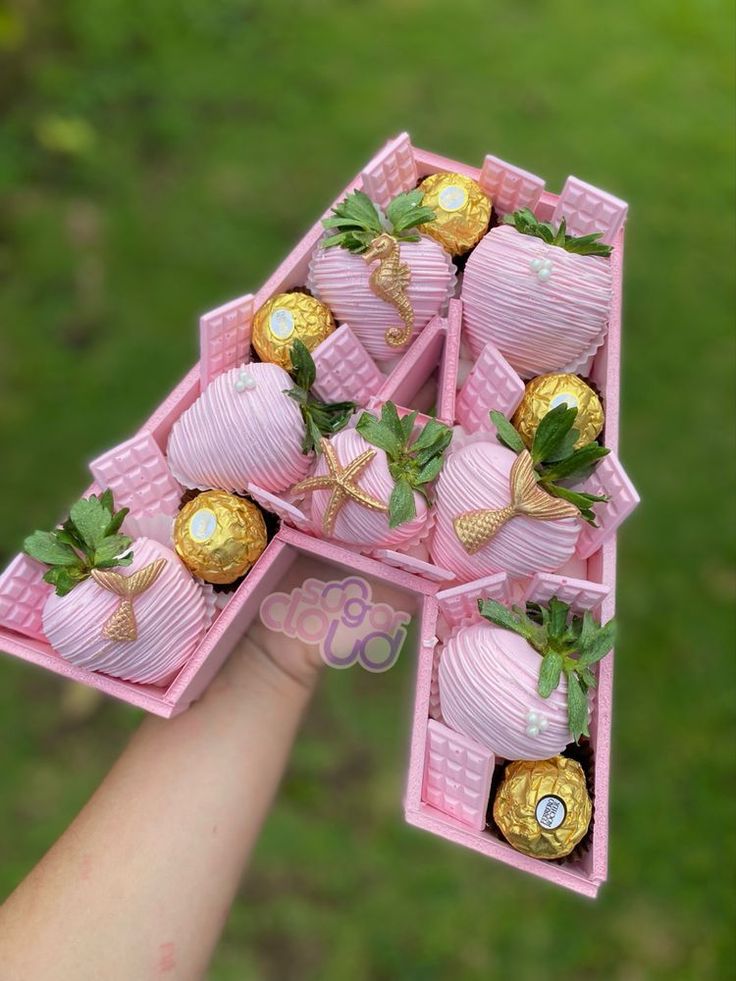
(125, 608)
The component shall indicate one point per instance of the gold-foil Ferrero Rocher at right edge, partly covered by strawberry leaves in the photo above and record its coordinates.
(545, 392)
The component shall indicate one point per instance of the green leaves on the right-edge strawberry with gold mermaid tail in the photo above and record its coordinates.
(555, 457)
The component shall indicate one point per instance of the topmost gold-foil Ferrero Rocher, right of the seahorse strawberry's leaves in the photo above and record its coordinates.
(463, 211)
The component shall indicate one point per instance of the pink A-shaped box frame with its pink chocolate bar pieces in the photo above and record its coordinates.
(449, 779)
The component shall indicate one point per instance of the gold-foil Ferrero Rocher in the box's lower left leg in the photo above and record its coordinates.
(219, 536)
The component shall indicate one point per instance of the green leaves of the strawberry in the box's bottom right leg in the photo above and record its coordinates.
(568, 645)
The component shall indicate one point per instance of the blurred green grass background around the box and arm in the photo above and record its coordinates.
(157, 159)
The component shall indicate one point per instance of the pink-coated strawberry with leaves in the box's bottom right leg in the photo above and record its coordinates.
(519, 684)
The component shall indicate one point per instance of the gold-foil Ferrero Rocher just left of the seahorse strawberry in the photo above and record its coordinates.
(288, 317)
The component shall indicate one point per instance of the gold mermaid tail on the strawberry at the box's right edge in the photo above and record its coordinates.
(476, 528)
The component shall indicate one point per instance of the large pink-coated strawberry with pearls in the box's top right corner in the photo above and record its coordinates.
(541, 296)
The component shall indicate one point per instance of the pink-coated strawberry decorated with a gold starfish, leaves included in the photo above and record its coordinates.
(369, 484)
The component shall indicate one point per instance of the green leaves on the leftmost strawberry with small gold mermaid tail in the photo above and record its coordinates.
(87, 540)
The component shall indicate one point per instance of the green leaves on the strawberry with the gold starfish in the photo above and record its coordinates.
(412, 463)
